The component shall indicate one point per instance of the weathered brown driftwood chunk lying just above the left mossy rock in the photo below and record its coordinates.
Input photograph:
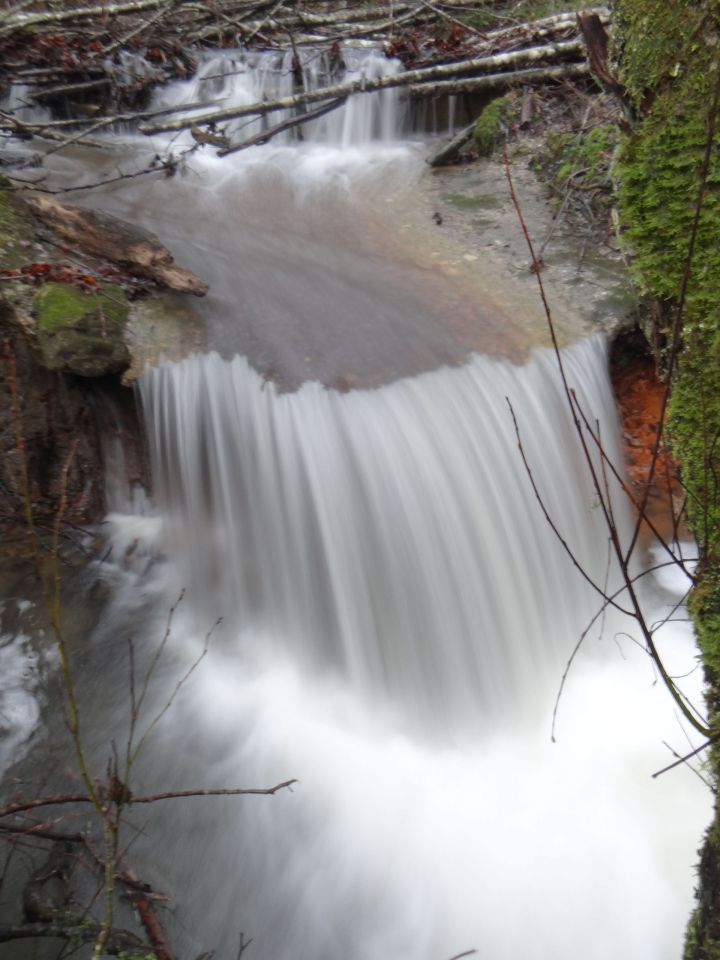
(106, 237)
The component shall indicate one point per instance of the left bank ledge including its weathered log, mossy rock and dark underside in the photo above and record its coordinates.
(85, 301)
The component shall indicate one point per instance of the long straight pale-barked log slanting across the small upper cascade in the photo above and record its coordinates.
(552, 51)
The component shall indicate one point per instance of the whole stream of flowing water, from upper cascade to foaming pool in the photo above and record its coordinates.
(397, 613)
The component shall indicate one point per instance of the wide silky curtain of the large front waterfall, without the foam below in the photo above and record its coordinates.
(388, 534)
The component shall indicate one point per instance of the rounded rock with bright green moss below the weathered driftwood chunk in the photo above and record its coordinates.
(81, 333)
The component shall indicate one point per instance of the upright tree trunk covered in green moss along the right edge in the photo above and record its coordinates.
(668, 57)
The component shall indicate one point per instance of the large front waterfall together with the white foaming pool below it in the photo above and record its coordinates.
(398, 618)
